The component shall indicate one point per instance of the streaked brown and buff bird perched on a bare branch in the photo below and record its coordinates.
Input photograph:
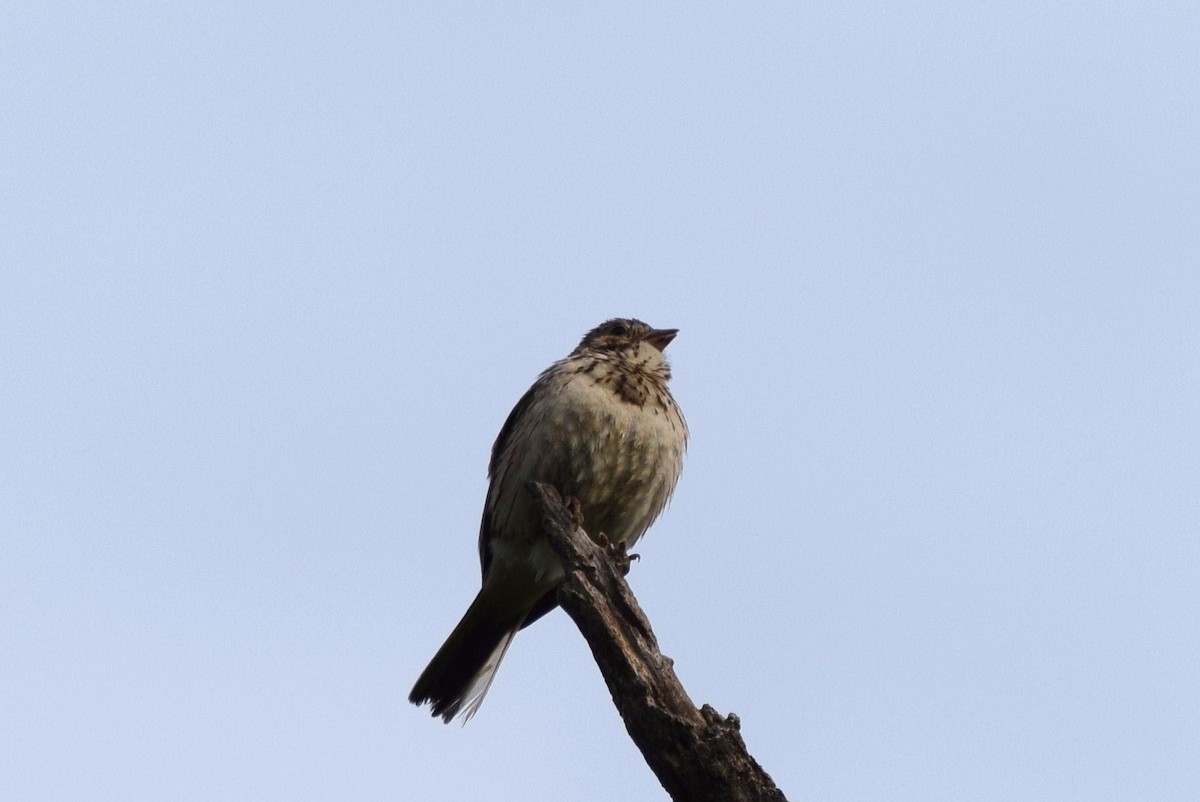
(601, 427)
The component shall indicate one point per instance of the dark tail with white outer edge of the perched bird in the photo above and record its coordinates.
(461, 673)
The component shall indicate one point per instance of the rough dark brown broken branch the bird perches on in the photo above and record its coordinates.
(697, 755)
